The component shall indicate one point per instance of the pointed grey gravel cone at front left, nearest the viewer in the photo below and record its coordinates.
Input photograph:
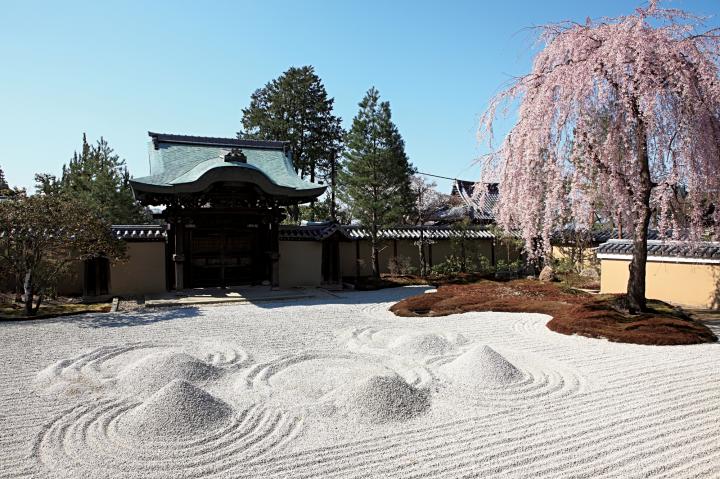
(178, 409)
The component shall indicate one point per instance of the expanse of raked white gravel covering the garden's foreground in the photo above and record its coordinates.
(344, 389)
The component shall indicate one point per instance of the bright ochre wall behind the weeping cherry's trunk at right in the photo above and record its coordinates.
(687, 284)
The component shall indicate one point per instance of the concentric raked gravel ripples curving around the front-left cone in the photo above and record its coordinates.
(83, 437)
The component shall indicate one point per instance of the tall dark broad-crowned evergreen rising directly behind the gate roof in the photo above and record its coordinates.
(295, 108)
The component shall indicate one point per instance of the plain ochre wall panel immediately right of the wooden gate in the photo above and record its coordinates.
(300, 263)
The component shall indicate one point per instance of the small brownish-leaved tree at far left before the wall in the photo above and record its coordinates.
(41, 236)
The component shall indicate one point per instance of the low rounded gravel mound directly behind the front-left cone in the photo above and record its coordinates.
(154, 371)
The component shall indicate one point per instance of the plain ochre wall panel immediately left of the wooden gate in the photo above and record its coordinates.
(142, 273)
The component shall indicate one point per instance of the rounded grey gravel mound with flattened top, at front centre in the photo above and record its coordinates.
(381, 399)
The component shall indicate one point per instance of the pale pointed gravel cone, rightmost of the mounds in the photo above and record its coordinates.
(480, 367)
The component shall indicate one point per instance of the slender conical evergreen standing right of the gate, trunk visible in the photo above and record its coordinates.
(376, 174)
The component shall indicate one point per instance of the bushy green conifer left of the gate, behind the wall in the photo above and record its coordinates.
(98, 178)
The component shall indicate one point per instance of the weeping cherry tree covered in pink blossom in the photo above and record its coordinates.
(621, 114)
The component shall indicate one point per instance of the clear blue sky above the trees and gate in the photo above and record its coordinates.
(121, 68)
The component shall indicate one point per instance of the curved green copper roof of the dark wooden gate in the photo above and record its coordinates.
(189, 164)
